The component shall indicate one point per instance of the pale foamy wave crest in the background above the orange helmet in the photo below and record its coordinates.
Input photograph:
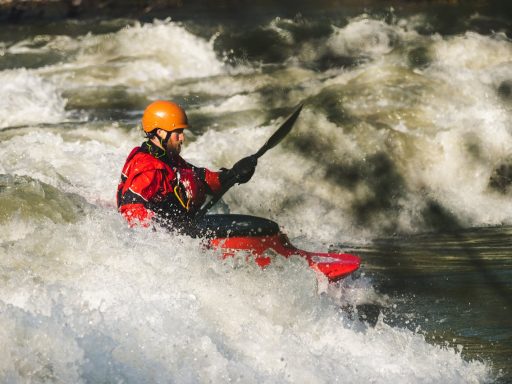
(141, 55)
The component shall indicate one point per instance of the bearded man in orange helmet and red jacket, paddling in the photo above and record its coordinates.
(158, 186)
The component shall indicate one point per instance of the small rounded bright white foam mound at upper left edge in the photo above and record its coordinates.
(26, 98)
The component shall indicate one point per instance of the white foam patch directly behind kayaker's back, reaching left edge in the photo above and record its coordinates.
(61, 169)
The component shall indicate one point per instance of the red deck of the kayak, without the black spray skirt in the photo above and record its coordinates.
(333, 265)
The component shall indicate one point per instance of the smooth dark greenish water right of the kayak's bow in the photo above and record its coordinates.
(455, 286)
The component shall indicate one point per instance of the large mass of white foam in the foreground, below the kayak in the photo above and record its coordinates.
(119, 304)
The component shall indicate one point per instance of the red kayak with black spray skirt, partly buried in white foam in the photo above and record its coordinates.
(262, 238)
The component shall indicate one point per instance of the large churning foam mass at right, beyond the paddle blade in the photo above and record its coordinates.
(444, 127)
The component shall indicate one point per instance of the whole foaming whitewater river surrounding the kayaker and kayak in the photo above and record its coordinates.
(402, 155)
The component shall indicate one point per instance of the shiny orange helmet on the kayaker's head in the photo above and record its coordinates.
(165, 115)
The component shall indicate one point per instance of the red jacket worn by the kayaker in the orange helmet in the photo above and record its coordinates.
(146, 190)
